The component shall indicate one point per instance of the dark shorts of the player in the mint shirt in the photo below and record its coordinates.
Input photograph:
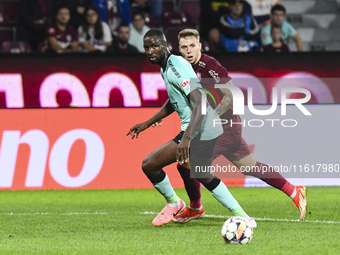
(199, 148)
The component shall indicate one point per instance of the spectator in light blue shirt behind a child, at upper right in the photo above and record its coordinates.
(278, 13)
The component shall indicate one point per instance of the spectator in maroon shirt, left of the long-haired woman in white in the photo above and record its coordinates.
(61, 36)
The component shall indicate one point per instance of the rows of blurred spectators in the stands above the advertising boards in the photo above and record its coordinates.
(63, 26)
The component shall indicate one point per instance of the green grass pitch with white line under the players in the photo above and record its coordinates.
(111, 222)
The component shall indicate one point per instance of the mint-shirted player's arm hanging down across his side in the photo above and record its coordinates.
(195, 121)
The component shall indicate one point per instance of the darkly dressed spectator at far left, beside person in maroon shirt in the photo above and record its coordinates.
(34, 16)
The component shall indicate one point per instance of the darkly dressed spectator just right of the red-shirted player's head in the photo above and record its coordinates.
(211, 11)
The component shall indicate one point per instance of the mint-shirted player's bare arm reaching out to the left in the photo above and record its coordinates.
(165, 111)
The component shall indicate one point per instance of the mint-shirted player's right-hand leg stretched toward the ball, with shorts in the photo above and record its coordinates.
(201, 157)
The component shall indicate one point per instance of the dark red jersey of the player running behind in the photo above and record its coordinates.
(213, 72)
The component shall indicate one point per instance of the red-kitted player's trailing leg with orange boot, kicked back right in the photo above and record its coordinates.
(267, 174)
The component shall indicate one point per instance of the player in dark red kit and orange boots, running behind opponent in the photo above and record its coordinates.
(230, 144)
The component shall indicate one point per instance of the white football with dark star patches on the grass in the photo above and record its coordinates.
(237, 230)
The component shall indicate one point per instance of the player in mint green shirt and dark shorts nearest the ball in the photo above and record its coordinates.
(199, 133)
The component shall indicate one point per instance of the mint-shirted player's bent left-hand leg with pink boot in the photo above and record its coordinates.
(152, 167)
